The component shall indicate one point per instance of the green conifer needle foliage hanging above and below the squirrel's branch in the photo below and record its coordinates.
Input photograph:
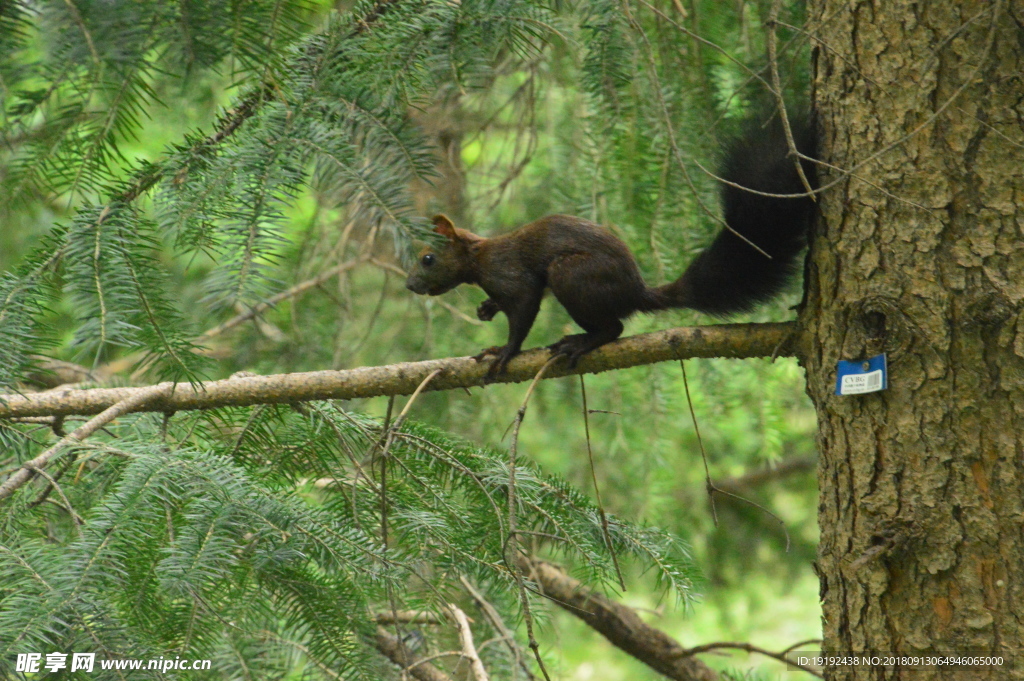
(272, 540)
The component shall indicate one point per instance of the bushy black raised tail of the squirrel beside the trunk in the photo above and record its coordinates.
(731, 276)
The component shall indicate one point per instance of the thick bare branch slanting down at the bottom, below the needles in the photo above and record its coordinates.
(621, 625)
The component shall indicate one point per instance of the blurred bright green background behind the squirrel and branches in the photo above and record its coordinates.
(607, 114)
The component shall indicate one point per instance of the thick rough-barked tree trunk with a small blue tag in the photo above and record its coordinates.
(922, 486)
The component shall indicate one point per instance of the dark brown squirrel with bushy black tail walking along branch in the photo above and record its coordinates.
(596, 279)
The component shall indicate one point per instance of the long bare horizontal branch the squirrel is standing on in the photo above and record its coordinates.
(738, 342)
